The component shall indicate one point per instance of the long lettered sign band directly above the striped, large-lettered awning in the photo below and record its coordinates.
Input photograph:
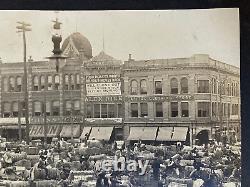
(57, 119)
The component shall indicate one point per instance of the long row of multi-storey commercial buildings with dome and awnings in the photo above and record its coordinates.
(180, 99)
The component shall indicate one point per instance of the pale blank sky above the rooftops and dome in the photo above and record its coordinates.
(144, 34)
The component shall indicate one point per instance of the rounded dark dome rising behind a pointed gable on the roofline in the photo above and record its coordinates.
(79, 43)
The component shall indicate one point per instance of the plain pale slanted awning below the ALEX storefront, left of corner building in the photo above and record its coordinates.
(101, 133)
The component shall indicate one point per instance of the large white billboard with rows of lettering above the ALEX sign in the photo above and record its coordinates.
(106, 84)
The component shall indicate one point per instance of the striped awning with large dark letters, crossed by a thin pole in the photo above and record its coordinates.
(38, 130)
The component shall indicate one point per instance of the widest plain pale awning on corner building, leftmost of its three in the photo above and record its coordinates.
(142, 133)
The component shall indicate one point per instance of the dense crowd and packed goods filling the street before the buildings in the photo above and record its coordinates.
(79, 164)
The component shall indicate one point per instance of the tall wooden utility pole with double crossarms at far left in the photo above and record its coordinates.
(24, 27)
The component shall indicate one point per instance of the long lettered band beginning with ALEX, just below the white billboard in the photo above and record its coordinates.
(110, 99)
